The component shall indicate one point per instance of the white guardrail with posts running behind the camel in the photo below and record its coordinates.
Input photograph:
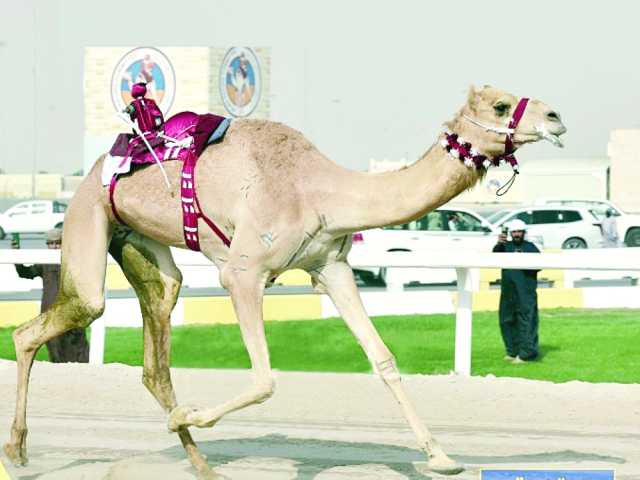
(466, 264)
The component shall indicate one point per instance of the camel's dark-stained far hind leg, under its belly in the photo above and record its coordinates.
(151, 271)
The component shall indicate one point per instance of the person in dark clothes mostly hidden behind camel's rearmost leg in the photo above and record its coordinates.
(71, 346)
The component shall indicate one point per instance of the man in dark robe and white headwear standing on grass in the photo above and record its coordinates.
(518, 299)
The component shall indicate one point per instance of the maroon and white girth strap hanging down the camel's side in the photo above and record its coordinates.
(191, 210)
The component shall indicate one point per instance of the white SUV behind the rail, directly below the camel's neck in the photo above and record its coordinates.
(441, 229)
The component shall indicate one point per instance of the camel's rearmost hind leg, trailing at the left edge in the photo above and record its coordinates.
(80, 300)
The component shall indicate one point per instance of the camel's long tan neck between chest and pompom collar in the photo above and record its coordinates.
(378, 199)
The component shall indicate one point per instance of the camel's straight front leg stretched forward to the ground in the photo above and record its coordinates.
(337, 280)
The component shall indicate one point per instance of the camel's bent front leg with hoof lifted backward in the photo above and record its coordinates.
(245, 283)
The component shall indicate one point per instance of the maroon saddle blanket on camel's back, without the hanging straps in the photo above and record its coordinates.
(184, 133)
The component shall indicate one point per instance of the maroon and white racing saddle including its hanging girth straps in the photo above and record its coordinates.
(183, 137)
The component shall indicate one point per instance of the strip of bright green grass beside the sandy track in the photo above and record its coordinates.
(588, 345)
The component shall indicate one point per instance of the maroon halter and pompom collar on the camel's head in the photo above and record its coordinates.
(459, 148)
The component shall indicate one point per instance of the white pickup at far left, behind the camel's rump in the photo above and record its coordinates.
(36, 216)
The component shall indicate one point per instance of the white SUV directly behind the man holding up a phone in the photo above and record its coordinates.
(559, 226)
